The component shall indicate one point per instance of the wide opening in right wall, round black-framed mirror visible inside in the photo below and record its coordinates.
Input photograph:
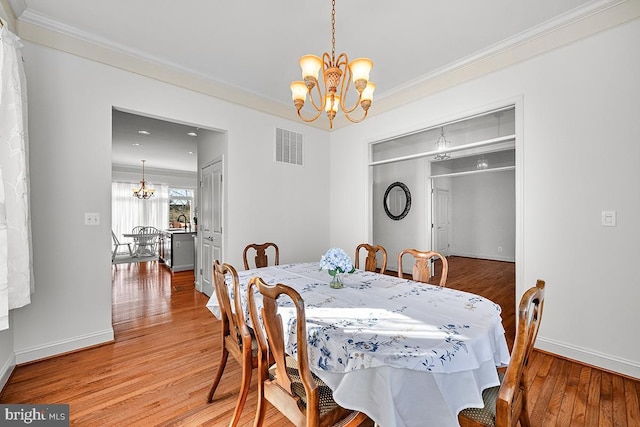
(464, 191)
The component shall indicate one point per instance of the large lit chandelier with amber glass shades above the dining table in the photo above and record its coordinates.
(337, 75)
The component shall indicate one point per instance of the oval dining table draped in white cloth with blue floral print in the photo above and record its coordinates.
(405, 353)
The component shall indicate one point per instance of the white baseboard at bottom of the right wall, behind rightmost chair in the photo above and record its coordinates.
(589, 357)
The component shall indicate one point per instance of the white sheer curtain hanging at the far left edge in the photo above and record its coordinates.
(16, 274)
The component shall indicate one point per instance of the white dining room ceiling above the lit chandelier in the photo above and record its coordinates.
(252, 46)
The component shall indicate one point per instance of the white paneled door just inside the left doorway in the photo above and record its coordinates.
(210, 223)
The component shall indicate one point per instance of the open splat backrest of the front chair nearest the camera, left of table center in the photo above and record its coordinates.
(273, 342)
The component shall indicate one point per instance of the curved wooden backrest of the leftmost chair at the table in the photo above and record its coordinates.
(233, 319)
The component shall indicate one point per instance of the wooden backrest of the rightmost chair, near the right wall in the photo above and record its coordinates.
(512, 396)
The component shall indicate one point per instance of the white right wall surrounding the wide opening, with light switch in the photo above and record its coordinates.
(579, 150)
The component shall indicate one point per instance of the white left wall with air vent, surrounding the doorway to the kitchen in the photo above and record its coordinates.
(70, 98)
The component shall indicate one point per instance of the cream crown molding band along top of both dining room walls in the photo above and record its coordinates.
(595, 17)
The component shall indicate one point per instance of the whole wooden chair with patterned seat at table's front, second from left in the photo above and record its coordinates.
(288, 384)
